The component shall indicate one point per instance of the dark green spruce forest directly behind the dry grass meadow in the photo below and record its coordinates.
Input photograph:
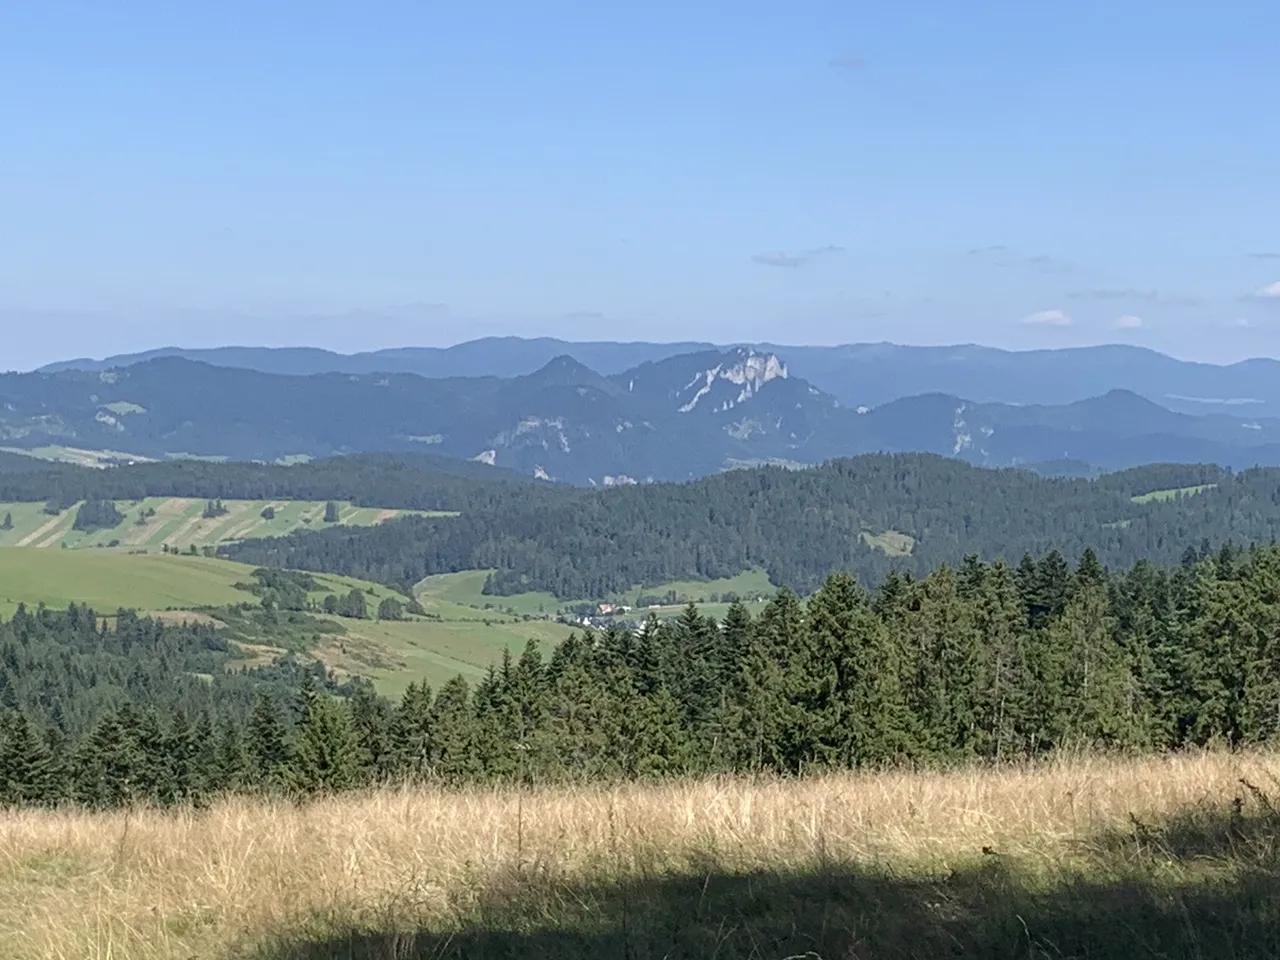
(977, 662)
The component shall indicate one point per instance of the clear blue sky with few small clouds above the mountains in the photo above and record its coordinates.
(367, 175)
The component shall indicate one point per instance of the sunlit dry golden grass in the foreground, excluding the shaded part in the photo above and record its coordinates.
(153, 885)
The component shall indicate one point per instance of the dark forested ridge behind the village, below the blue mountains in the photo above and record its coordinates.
(798, 525)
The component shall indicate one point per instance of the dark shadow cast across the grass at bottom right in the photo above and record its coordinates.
(1203, 886)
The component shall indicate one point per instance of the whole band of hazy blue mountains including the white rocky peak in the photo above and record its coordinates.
(666, 418)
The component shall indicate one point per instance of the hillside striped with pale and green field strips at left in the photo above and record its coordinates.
(177, 522)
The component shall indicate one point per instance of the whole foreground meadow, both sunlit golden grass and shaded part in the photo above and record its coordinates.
(1087, 858)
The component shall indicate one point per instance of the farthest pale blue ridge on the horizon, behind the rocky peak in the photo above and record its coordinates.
(858, 374)
